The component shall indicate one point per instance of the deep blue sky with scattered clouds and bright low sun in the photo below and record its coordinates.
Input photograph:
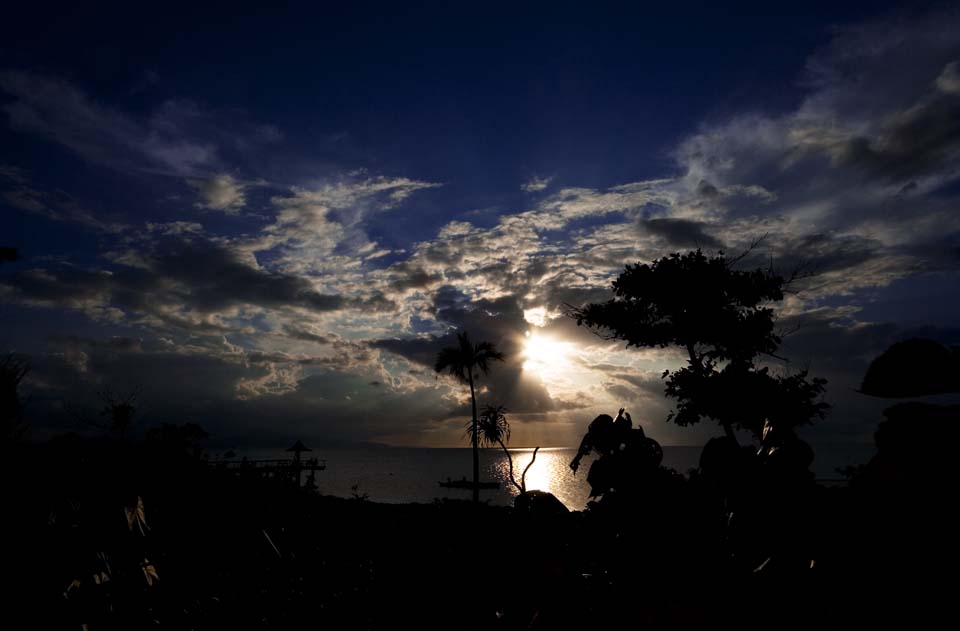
(268, 221)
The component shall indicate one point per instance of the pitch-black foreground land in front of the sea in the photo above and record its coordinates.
(234, 553)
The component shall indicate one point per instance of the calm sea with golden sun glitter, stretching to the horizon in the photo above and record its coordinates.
(406, 475)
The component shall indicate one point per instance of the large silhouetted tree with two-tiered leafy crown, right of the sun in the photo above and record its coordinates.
(721, 317)
